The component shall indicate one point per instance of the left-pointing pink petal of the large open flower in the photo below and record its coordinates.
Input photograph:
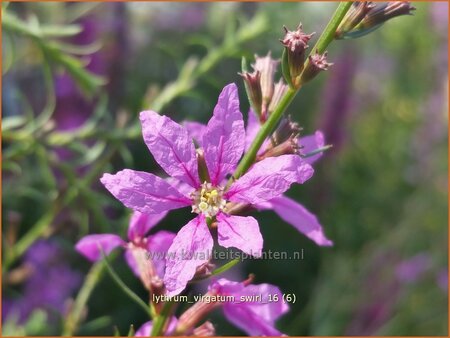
(144, 192)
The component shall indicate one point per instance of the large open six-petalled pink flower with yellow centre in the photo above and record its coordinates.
(223, 143)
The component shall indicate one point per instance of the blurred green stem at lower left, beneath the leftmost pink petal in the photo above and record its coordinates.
(92, 278)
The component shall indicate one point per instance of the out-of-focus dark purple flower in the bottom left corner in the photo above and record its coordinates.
(49, 285)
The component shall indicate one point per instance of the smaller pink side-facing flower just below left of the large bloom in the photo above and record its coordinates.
(137, 247)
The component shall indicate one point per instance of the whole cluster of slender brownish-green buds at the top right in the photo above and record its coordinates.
(364, 17)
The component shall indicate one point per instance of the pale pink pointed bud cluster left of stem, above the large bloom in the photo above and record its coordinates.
(263, 93)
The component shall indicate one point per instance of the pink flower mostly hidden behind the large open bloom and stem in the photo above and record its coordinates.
(289, 210)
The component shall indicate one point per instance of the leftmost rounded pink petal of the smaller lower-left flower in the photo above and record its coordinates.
(89, 246)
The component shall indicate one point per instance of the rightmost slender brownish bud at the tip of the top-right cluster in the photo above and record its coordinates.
(386, 12)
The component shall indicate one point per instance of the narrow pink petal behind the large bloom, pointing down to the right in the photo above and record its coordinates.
(299, 217)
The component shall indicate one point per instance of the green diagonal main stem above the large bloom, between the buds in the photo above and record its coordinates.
(323, 42)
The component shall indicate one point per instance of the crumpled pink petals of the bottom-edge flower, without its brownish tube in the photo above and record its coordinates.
(256, 317)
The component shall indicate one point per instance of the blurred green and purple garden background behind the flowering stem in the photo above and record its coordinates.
(75, 77)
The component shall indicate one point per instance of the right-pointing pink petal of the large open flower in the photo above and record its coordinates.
(269, 178)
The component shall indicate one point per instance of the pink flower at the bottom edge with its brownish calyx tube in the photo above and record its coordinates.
(252, 308)
